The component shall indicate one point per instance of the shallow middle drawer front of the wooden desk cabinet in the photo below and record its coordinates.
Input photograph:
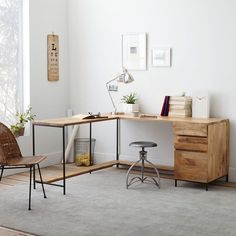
(191, 143)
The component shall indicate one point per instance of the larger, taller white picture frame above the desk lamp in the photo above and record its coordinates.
(134, 51)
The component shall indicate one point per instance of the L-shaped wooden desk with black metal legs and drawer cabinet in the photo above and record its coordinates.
(201, 145)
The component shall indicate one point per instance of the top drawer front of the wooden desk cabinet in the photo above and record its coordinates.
(191, 129)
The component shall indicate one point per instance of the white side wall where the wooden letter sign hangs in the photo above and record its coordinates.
(48, 99)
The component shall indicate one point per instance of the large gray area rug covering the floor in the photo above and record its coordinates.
(98, 204)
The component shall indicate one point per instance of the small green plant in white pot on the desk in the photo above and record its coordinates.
(130, 103)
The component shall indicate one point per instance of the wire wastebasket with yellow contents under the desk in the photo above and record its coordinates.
(82, 157)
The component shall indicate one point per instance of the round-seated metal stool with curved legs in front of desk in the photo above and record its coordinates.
(143, 158)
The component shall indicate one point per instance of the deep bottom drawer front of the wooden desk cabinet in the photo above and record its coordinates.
(191, 166)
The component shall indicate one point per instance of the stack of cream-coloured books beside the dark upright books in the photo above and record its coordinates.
(180, 106)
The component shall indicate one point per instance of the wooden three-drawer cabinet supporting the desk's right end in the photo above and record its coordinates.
(201, 151)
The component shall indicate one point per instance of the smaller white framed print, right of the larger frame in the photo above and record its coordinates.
(161, 57)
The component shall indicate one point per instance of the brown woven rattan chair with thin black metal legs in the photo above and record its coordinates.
(11, 157)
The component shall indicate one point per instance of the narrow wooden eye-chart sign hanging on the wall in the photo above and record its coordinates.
(53, 57)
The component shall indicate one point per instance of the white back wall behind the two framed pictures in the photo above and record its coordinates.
(202, 36)
